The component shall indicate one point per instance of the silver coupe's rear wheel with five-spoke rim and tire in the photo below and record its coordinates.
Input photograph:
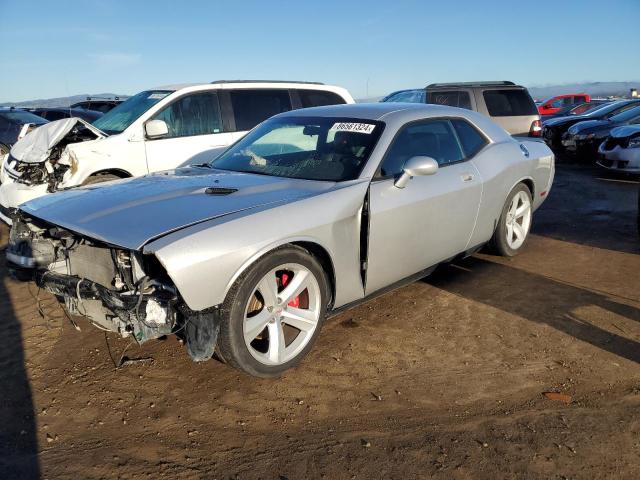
(514, 224)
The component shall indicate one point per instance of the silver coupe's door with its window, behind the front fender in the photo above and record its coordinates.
(432, 218)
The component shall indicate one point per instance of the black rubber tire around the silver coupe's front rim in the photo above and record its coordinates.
(231, 346)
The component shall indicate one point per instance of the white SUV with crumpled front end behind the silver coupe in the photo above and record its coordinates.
(155, 130)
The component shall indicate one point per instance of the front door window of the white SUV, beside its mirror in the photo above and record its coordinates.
(197, 114)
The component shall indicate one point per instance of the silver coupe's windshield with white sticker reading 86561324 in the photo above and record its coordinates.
(310, 148)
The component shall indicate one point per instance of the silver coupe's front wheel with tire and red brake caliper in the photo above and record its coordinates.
(273, 313)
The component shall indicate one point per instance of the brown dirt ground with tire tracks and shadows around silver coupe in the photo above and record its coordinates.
(442, 379)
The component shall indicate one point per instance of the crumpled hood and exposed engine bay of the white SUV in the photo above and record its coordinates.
(42, 156)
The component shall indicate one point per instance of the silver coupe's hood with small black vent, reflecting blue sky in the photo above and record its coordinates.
(130, 213)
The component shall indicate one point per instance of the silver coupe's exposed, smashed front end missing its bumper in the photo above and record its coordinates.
(115, 289)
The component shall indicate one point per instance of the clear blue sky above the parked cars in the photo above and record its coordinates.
(66, 47)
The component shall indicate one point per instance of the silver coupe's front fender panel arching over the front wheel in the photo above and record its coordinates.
(206, 259)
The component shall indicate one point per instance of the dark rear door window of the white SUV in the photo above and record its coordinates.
(251, 107)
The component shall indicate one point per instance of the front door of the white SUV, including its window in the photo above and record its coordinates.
(195, 132)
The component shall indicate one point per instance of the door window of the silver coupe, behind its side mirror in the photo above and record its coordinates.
(431, 138)
